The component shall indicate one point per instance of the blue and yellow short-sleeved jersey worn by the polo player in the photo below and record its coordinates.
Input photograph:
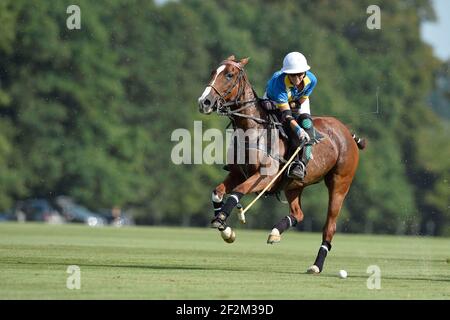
(280, 89)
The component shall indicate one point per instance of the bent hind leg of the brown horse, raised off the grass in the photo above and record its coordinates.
(295, 216)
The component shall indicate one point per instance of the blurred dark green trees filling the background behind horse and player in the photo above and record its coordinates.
(89, 113)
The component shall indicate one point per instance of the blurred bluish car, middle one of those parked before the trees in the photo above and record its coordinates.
(74, 212)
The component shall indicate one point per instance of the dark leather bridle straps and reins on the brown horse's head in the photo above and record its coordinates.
(223, 108)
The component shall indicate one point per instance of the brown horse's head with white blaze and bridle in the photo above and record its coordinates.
(224, 86)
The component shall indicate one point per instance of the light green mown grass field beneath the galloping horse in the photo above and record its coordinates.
(176, 263)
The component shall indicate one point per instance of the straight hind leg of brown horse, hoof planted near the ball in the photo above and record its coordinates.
(338, 187)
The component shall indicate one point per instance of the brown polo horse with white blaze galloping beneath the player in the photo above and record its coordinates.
(334, 160)
